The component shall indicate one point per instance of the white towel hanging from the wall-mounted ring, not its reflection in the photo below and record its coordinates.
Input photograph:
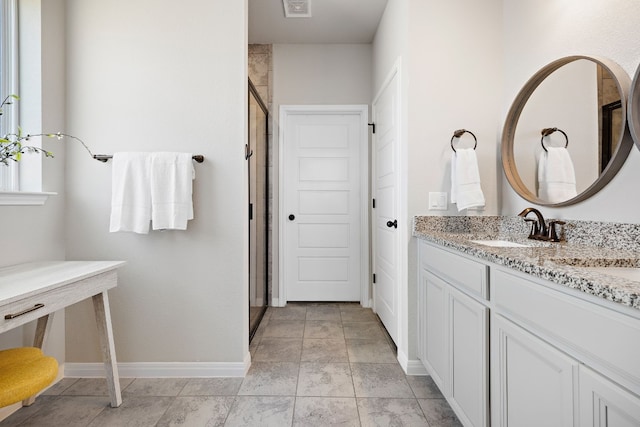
(466, 191)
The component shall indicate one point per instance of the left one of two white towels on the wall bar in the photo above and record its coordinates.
(130, 193)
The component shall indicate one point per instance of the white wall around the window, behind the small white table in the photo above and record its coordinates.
(36, 233)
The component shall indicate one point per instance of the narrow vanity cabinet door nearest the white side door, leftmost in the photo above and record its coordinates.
(435, 334)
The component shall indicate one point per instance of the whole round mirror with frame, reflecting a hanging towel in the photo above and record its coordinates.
(566, 135)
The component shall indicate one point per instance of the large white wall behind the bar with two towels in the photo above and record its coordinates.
(161, 76)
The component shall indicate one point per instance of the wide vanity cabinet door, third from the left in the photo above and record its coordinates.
(531, 381)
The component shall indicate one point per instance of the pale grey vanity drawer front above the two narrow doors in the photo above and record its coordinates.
(466, 274)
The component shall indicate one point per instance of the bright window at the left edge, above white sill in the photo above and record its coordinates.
(9, 84)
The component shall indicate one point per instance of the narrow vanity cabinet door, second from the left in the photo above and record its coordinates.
(468, 336)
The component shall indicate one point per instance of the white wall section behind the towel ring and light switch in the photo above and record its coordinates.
(446, 49)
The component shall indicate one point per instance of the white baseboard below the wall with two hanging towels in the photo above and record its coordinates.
(162, 369)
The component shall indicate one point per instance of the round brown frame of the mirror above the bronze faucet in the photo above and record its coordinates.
(618, 157)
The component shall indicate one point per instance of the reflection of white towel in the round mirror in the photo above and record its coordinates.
(556, 176)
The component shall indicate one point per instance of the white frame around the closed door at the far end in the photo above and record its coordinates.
(363, 111)
